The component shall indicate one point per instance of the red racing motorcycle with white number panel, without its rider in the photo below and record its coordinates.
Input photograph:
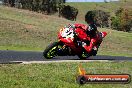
(69, 44)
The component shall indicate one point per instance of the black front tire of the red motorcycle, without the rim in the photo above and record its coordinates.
(48, 48)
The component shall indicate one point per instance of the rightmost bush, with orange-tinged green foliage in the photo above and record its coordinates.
(122, 20)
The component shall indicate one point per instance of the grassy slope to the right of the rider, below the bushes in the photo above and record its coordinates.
(116, 43)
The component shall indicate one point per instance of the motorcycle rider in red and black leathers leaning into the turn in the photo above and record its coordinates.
(90, 35)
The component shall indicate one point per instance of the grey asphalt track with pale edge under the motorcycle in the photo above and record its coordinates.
(8, 56)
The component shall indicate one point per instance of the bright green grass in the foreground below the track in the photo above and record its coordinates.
(62, 75)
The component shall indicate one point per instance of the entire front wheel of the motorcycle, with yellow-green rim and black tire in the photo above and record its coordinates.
(51, 50)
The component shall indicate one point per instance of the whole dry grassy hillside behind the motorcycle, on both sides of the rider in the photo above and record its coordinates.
(25, 30)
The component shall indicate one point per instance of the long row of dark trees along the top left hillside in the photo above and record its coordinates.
(44, 6)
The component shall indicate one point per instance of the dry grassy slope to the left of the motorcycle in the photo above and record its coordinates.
(24, 28)
